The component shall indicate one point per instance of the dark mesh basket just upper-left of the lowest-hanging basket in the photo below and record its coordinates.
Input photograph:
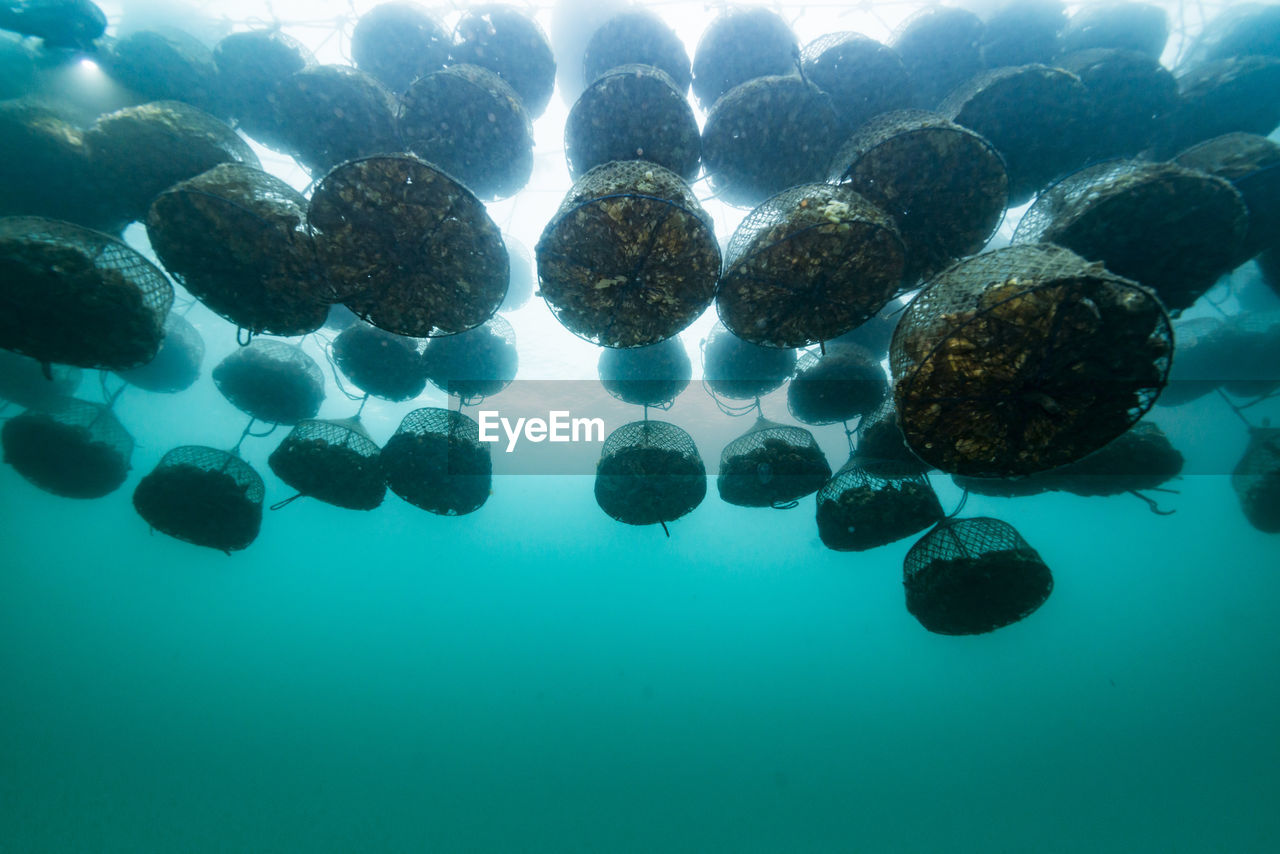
(860, 510)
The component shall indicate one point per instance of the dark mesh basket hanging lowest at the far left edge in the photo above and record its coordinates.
(70, 449)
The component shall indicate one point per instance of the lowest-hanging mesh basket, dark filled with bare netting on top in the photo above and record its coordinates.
(970, 577)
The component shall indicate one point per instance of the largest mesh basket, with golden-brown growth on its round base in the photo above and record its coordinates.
(1026, 359)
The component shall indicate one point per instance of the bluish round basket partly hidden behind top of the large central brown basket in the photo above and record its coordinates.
(628, 113)
